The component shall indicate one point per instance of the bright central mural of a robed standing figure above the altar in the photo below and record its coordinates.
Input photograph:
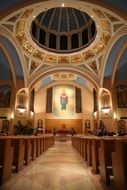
(63, 99)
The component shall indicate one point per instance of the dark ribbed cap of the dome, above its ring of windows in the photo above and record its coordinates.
(63, 19)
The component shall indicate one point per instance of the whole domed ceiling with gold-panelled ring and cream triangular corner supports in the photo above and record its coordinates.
(54, 20)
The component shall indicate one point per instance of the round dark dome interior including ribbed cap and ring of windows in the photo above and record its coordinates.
(63, 29)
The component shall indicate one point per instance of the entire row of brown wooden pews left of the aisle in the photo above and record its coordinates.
(17, 151)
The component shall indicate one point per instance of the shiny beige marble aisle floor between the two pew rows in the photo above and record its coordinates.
(59, 168)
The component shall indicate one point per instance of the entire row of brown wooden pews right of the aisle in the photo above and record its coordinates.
(101, 154)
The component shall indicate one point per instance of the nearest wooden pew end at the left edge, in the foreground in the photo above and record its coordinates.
(6, 157)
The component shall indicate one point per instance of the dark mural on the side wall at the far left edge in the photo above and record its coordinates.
(5, 96)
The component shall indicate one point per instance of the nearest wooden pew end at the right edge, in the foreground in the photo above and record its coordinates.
(119, 163)
